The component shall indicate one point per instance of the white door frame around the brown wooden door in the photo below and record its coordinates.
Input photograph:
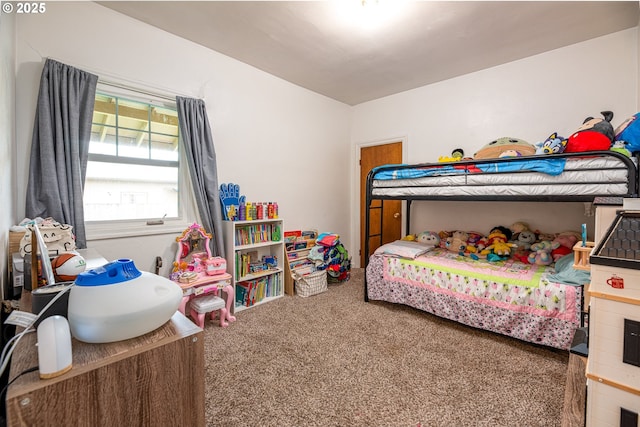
(355, 191)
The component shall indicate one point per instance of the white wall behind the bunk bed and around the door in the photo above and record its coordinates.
(527, 99)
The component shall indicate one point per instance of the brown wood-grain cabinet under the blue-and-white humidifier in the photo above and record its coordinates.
(152, 380)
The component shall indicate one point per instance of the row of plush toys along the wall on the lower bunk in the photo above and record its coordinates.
(516, 241)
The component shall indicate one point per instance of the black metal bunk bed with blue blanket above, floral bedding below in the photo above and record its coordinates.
(507, 297)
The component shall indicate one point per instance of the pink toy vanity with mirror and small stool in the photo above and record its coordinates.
(199, 275)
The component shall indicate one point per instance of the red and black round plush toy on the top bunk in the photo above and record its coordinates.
(593, 135)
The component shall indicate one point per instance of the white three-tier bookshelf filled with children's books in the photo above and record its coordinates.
(255, 258)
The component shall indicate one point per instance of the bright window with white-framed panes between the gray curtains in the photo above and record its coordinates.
(133, 167)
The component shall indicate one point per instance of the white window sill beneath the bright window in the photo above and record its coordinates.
(115, 229)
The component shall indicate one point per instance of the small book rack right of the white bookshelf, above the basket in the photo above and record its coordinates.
(298, 244)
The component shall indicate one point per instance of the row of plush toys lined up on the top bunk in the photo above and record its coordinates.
(595, 134)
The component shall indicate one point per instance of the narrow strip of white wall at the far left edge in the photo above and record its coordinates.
(7, 126)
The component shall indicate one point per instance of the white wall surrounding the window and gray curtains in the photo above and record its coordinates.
(278, 141)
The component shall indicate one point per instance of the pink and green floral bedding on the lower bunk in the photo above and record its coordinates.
(507, 297)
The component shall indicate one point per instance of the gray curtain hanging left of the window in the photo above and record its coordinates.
(60, 146)
